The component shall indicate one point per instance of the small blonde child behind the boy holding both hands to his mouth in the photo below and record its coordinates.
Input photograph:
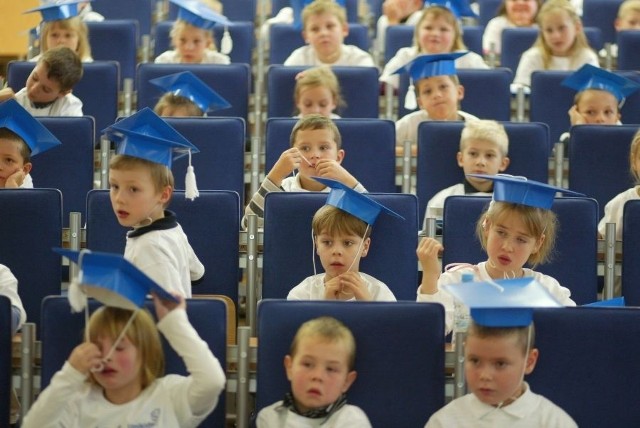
(317, 91)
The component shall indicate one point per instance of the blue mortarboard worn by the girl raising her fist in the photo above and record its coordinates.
(520, 190)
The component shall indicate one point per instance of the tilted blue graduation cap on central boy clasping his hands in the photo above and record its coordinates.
(355, 203)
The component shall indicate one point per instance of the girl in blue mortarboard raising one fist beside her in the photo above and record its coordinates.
(517, 228)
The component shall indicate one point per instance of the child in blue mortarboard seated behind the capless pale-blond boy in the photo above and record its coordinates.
(438, 92)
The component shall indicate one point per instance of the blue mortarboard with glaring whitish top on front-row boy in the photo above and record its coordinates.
(503, 303)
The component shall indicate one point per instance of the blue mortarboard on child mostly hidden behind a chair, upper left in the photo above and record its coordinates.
(188, 85)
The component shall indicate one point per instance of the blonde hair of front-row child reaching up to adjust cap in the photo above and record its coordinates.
(142, 333)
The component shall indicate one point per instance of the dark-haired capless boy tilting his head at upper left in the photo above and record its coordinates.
(48, 90)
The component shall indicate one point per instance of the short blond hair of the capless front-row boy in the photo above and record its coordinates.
(327, 329)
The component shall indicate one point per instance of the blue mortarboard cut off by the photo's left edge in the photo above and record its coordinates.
(15, 118)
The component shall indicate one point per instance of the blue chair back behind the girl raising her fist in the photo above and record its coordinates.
(576, 243)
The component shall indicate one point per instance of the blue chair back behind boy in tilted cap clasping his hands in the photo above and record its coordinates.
(288, 249)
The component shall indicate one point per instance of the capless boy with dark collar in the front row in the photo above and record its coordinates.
(320, 367)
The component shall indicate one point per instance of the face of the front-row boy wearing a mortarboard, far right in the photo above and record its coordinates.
(494, 368)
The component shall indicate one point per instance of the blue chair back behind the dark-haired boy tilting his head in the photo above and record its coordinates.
(98, 88)
